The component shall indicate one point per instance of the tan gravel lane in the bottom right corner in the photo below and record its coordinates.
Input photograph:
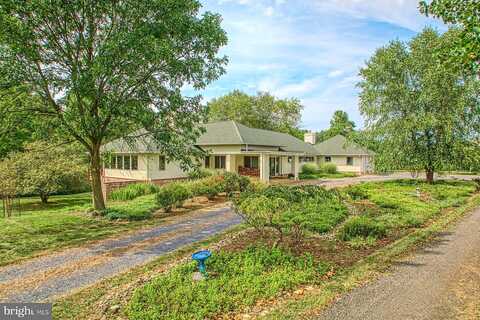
(440, 282)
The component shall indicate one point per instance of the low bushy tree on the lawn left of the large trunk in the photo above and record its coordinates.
(45, 168)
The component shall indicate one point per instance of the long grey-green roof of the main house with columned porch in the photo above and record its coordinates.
(219, 133)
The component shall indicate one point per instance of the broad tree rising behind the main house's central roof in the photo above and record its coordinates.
(262, 111)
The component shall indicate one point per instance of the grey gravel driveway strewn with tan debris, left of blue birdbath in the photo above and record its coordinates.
(43, 278)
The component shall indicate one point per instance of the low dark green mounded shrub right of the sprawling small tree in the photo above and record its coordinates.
(361, 226)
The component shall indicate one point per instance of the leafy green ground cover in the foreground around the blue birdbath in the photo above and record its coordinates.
(237, 279)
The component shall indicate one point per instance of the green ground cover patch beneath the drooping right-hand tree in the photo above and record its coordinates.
(397, 206)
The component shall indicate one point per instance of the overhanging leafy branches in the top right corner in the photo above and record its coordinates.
(463, 13)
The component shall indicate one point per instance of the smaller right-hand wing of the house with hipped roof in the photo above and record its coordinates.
(347, 155)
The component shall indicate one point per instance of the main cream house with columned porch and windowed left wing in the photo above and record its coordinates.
(230, 146)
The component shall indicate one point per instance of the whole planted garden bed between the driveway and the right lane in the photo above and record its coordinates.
(245, 273)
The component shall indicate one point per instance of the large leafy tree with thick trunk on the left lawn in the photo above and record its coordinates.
(104, 69)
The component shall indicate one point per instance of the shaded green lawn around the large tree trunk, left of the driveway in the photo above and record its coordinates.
(63, 222)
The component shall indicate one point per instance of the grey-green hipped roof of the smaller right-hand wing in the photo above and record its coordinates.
(340, 146)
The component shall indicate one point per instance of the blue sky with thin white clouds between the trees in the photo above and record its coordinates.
(309, 49)
